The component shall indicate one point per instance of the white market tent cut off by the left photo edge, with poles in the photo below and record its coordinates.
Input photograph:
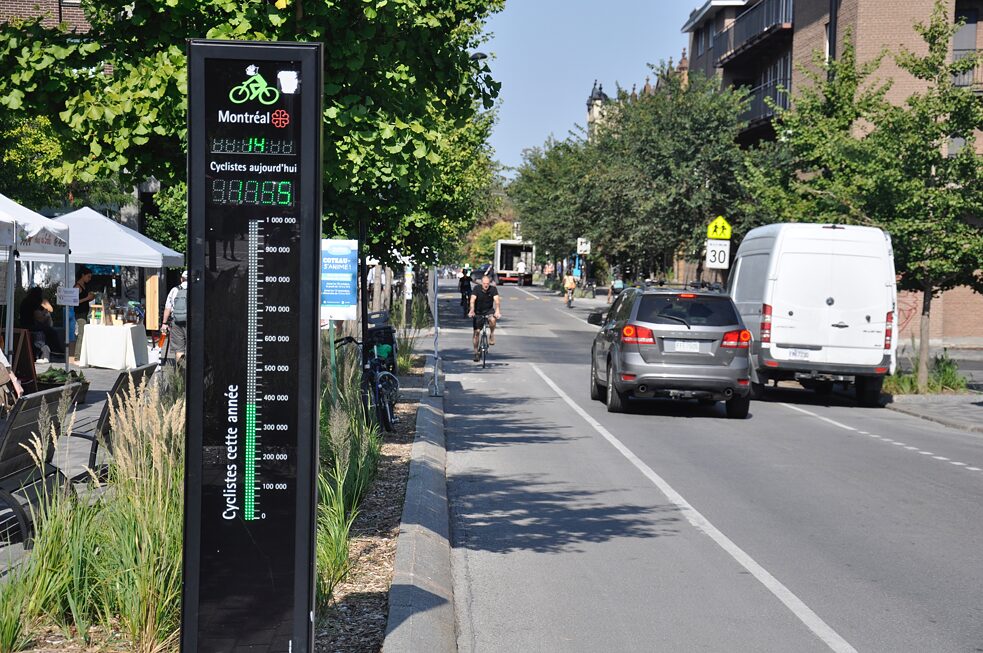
(34, 234)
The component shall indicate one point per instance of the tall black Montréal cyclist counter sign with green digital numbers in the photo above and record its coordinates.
(254, 187)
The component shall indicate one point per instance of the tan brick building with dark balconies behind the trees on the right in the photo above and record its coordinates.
(765, 46)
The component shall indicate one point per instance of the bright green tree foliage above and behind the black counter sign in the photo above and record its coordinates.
(405, 142)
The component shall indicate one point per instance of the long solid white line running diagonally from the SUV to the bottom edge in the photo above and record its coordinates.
(804, 613)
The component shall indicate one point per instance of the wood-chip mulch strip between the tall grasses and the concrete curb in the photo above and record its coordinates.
(356, 620)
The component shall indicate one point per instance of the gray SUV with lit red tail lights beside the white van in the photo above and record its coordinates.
(671, 343)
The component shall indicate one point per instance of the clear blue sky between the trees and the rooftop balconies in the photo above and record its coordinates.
(547, 54)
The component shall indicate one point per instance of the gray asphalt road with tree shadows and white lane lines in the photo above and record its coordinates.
(814, 525)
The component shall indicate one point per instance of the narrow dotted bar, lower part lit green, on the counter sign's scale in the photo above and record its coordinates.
(252, 363)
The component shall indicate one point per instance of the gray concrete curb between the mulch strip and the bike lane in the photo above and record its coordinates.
(421, 600)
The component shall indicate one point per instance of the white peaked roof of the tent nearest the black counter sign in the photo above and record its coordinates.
(98, 240)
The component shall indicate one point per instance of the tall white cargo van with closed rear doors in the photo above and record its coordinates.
(820, 302)
